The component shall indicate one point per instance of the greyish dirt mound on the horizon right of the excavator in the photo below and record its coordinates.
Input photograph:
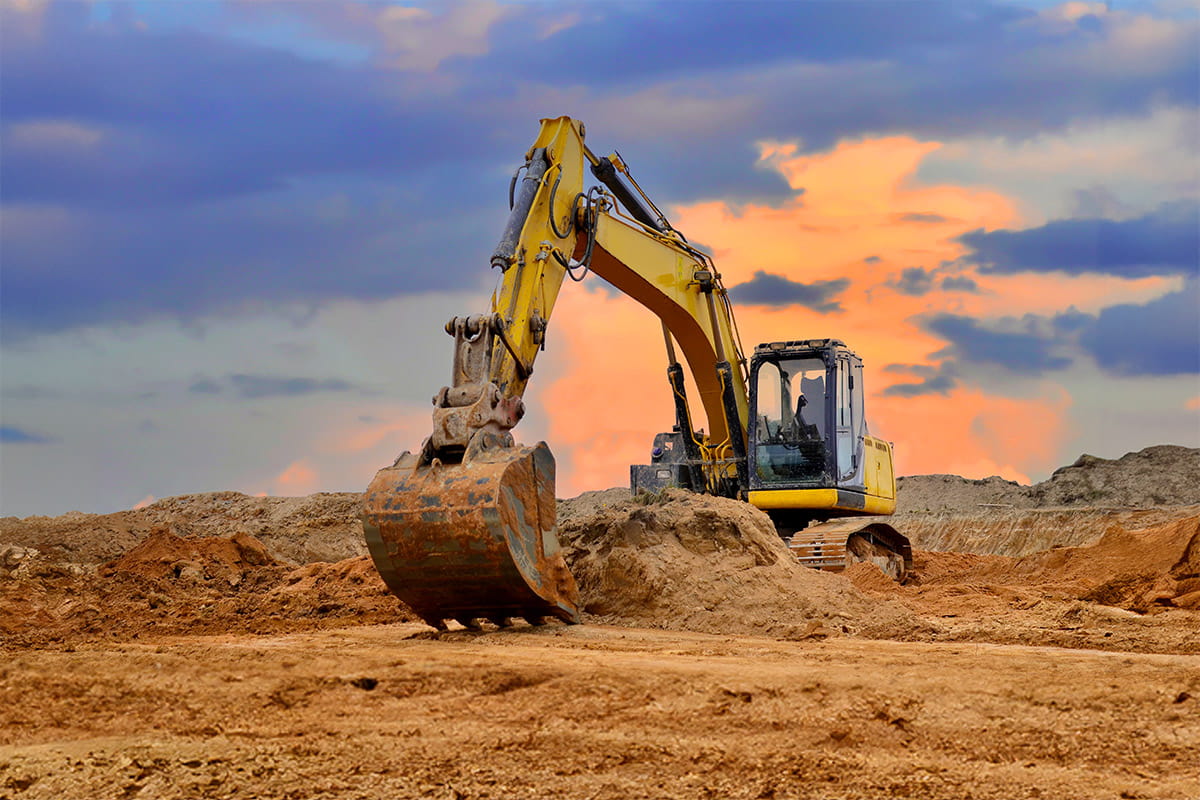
(1163, 476)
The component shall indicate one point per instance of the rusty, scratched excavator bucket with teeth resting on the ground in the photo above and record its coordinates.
(472, 542)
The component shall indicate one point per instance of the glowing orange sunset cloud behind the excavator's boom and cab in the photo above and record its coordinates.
(860, 214)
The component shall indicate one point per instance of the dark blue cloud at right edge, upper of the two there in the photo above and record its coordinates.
(1163, 243)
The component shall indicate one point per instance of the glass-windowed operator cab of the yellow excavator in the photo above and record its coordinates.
(807, 428)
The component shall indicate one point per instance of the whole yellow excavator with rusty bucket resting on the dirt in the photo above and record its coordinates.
(465, 528)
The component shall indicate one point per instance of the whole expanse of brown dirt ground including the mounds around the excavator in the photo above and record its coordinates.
(229, 647)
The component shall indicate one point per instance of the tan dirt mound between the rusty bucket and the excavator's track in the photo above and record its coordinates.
(703, 564)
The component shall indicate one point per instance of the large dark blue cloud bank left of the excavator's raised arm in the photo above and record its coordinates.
(213, 176)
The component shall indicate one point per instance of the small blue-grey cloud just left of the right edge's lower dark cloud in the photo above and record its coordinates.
(1024, 351)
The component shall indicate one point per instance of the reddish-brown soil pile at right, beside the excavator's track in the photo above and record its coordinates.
(1132, 591)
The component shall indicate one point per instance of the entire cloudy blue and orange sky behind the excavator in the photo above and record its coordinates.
(232, 232)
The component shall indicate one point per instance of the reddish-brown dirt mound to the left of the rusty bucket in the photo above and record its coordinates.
(170, 585)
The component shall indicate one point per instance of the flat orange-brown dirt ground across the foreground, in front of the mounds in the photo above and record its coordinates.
(595, 712)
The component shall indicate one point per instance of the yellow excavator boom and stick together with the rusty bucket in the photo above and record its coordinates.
(466, 528)
